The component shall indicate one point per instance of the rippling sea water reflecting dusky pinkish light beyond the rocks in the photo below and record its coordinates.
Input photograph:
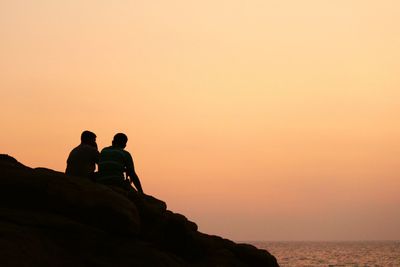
(334, 254)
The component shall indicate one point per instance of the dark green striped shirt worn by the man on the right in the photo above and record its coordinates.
(113, 163)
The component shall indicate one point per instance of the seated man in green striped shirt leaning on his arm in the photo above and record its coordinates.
(114, 162)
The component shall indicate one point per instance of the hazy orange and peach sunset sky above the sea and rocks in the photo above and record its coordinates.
(258, 120)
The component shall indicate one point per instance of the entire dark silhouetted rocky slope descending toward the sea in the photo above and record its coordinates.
(49, 219)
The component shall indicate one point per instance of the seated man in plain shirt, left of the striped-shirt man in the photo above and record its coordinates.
(83, 158)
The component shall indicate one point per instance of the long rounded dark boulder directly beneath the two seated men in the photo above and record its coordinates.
(41, 190)
